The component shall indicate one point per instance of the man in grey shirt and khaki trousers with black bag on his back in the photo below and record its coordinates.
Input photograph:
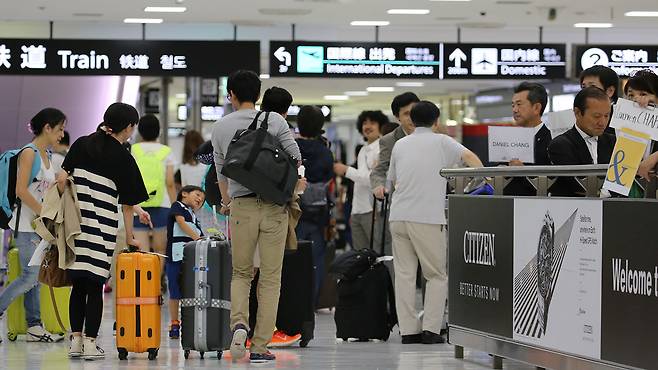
(255, 222)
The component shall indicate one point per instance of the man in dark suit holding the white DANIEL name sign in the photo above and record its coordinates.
(528, 104)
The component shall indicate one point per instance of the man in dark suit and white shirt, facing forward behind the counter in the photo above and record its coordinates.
(586, 142)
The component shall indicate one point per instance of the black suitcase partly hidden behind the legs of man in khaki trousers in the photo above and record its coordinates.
(295, 313)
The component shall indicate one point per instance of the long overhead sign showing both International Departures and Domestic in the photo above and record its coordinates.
(417, 60)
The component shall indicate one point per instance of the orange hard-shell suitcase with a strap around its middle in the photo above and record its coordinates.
(138, 303)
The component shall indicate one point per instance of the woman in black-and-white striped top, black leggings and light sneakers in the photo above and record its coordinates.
(105, 175)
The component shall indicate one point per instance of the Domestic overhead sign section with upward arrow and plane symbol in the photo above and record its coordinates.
(507, 61)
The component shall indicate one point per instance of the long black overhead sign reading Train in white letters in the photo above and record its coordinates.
(127, 57)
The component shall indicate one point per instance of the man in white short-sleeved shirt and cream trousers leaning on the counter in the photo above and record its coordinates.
(418, 222)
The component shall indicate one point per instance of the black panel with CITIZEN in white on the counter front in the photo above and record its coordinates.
(481, 257)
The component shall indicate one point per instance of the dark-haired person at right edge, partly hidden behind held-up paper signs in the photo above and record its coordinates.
(642, 88)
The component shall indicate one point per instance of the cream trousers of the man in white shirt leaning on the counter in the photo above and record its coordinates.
(413, 243)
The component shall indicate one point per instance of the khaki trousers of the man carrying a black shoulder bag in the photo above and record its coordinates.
(257, 224)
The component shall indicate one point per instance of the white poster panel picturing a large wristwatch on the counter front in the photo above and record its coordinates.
(557, 274)
